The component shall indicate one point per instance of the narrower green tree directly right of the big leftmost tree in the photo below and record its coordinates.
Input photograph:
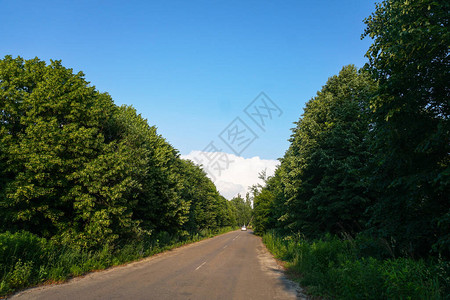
(159, 205)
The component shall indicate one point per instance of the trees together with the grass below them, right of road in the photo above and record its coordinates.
(359, 205)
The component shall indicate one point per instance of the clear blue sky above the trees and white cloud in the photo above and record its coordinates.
(191, 67)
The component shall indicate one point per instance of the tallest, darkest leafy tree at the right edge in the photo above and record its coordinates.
(409, 57)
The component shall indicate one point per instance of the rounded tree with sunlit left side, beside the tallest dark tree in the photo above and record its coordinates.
(329, 150)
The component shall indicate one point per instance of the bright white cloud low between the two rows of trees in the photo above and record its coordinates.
(240, 174)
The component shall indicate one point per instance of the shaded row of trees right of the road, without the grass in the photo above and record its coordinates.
(370, 154)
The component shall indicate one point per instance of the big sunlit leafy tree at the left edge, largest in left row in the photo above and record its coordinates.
(66, 170)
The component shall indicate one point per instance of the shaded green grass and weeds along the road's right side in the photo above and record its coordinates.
(333, 268)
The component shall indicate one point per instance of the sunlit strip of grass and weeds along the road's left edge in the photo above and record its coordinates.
(27, 260)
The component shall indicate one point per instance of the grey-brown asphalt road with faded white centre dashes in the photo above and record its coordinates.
(235, 265)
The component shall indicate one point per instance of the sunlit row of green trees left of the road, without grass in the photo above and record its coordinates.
(79, 170)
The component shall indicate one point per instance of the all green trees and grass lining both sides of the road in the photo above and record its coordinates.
(358, 207)
